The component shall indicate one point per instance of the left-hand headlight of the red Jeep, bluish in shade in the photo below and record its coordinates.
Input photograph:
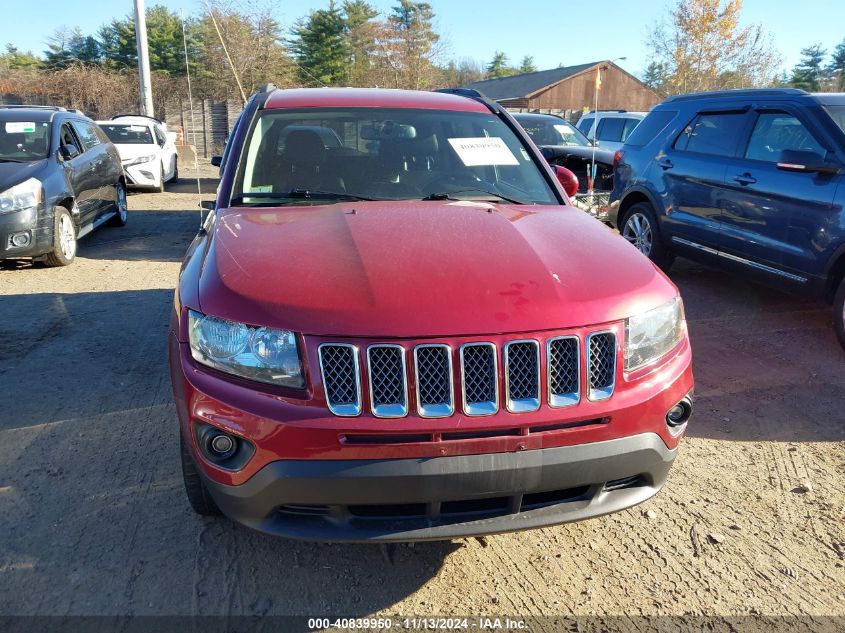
(255, 353)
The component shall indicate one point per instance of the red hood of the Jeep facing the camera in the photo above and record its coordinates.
(420, 269)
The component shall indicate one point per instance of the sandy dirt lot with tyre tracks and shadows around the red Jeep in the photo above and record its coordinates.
(94, 520)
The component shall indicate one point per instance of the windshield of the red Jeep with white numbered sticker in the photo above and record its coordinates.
(324, 155)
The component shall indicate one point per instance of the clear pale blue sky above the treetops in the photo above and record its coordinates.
(553, 32)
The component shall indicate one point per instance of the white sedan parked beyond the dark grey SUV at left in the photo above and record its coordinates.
(147, 151)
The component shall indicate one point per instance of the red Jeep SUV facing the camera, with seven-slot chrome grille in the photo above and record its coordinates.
(411, 334)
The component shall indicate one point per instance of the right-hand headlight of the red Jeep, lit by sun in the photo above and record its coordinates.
(650, 335)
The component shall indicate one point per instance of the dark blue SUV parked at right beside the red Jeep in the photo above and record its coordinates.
(751, 179)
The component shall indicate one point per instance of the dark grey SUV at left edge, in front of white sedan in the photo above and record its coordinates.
(60, 178)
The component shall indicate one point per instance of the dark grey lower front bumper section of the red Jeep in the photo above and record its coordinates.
(446, 497)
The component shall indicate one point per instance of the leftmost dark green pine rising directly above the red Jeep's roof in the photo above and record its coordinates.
(320, 47)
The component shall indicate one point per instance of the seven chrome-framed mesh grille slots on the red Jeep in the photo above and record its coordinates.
(387, 376)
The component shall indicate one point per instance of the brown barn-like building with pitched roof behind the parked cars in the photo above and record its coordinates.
(570, 89)
